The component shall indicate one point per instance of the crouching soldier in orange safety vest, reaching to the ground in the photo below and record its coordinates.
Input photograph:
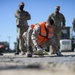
(39, 36)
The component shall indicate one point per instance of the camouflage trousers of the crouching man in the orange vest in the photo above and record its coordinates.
(51, 41)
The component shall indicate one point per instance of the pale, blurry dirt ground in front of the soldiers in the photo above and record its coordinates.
(47, 65)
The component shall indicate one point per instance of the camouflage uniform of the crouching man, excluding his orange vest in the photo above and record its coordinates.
(30, 38)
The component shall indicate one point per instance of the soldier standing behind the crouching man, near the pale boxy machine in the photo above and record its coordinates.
(59, 21)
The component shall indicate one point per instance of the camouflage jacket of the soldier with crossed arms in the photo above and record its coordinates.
(22, 17)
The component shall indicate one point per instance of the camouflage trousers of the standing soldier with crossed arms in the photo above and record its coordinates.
(20, 41)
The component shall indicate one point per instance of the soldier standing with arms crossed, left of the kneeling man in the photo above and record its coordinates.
(22, 26)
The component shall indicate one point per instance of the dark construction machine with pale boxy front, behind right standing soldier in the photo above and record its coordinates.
(67, 43)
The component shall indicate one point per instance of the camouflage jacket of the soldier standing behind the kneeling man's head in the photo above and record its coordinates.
(59, 20)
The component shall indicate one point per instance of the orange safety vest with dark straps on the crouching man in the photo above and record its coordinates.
(43, 35)
